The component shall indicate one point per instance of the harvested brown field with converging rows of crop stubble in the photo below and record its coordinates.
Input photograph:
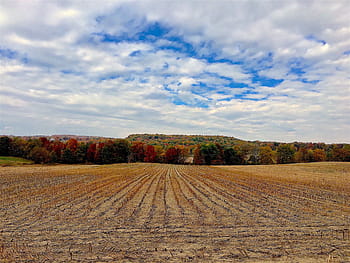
(169, 213)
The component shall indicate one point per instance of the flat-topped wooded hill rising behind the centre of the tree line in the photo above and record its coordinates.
(186, 140)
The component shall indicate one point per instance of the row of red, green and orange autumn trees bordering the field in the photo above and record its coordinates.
(110, 151)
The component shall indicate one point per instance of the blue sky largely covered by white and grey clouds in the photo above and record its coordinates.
(255, 70)
